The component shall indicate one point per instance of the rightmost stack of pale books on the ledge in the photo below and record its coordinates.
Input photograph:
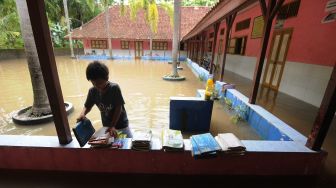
(230, 143)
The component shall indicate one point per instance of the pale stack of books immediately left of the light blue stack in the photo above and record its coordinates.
(172, 140)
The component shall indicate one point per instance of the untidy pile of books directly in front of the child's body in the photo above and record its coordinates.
(101, 138)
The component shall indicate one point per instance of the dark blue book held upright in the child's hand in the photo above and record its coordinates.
(83, 131)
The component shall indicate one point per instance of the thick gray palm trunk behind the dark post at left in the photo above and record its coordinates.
(40, 103)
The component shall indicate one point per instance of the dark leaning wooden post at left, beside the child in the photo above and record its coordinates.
(39, 22)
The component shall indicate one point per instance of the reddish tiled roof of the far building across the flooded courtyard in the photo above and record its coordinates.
(123, 28)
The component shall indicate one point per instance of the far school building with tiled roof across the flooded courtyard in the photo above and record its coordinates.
(132, 38)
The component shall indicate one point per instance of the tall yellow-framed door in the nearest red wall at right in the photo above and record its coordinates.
(277, 58)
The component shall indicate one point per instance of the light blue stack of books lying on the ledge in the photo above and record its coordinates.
(206, 143)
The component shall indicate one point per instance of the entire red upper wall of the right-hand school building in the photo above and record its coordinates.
(312, 42)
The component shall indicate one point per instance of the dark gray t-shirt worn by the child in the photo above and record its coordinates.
(106, 103)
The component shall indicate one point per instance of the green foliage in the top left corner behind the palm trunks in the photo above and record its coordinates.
(80, 11)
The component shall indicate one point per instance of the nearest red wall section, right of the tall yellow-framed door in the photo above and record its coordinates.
(313, 42)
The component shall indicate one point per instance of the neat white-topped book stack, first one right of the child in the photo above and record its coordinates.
(141, 140)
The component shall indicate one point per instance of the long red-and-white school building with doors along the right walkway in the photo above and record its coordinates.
(301, 49)
